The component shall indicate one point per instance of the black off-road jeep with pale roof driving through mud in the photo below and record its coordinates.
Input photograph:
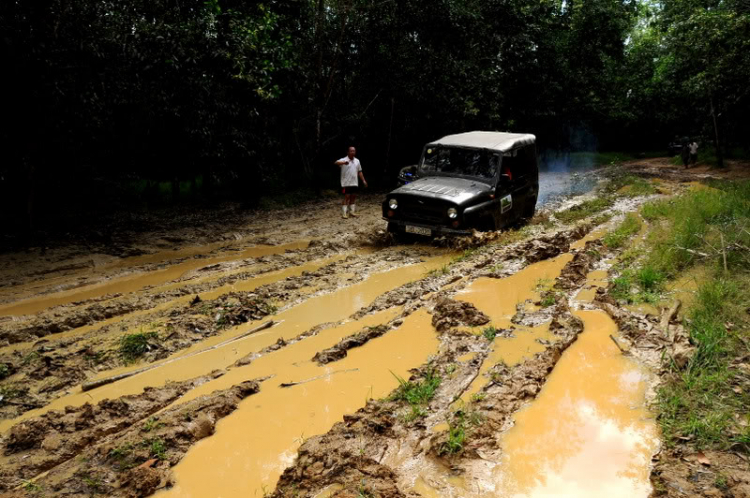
(477, 180)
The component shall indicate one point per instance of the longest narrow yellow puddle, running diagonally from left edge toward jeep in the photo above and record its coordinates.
(332, 307)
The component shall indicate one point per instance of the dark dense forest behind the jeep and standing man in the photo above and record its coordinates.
(107, 102)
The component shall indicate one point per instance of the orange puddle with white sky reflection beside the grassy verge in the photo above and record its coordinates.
(588, 434)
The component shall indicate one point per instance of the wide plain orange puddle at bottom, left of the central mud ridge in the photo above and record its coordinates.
(253, 446)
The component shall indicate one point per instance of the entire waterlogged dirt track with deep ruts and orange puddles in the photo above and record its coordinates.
(306, 355)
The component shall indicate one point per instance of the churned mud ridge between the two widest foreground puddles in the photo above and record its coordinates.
(369, 450)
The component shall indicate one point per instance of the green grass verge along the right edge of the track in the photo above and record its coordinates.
(703, 400)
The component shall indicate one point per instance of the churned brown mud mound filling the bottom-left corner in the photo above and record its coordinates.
(115, 448)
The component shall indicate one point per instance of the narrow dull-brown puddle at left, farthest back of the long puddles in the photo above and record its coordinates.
(132, 283)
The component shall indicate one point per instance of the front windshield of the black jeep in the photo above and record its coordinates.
(477, 163)
